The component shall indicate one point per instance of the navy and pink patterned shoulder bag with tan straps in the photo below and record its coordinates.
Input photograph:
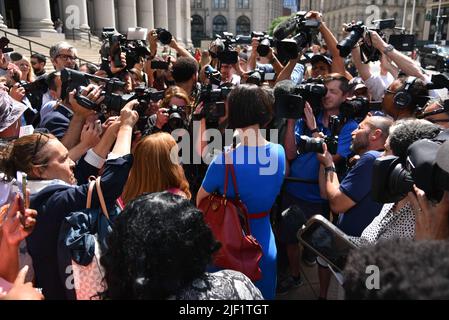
(82, 239)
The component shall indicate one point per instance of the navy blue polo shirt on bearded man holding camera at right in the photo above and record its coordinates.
(357, 186)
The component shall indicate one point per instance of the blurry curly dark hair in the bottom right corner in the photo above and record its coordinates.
(408, 270)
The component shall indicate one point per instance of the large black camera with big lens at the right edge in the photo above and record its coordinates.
(392, 181)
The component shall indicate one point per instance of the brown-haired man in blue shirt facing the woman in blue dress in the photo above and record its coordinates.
(305, 166)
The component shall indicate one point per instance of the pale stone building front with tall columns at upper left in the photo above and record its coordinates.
(36, 17)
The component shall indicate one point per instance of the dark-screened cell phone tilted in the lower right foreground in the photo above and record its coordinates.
(327, 241)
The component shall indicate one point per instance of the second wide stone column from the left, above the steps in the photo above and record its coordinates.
(75, 13)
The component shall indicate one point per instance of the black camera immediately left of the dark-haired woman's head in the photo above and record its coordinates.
(214, 102)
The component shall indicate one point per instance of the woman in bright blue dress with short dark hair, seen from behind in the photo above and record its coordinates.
(260, 170)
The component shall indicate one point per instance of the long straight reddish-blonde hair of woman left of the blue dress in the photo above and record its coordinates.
(153, 169)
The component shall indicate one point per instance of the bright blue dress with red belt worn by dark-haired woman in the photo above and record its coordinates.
(260, 172)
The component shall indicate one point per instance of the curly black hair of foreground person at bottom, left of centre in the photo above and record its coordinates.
(159, 245)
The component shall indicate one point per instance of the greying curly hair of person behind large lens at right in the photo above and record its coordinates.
(405, 132)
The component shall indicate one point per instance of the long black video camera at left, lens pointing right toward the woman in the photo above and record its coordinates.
(114, 100)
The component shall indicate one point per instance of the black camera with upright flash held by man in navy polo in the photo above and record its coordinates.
(308, 144)
